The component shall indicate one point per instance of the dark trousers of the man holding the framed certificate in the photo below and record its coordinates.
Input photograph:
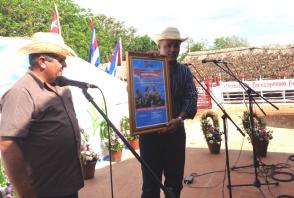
(165, 154)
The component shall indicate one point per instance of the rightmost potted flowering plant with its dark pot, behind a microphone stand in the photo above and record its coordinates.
(259, 135)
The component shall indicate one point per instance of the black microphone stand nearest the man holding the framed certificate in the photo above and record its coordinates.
(224, 118)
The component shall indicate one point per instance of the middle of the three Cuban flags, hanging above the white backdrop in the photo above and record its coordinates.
(94, 56)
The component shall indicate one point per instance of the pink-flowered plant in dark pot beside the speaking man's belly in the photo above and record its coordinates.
(89, 157)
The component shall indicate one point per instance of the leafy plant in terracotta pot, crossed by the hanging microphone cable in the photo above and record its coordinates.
(116, 144)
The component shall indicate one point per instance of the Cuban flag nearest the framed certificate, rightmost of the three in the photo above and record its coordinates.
(115, 58)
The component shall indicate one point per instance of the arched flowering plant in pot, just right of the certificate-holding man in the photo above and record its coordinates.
(210, 128)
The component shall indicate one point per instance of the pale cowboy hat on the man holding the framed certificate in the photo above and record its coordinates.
(170, 33)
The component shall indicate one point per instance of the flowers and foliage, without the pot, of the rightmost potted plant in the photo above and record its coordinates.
(260, 132)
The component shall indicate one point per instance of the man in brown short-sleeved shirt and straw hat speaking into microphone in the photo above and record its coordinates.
(40, 137)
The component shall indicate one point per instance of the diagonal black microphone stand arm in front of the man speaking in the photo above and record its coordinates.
(167, 191)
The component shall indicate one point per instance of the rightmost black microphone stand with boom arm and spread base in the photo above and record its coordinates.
(249, 92)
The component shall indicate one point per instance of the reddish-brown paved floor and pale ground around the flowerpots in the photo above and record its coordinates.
(127, 174)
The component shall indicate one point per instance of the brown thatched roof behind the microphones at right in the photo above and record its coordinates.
(270, 62)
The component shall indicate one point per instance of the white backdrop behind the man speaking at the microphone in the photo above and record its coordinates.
(14, 65)
